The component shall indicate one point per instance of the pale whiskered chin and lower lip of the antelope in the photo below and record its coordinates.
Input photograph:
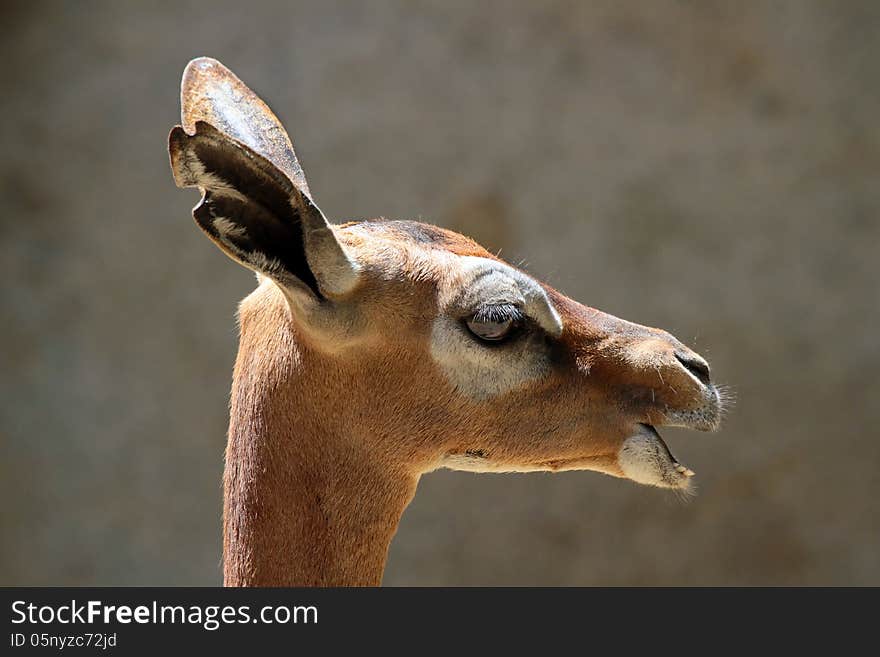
(645, 458)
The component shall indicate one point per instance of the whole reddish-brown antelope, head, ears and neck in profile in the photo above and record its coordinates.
(372, 352)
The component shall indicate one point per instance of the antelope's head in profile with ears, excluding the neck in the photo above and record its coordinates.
(452, 357)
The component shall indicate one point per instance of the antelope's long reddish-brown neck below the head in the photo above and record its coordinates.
(304, 503)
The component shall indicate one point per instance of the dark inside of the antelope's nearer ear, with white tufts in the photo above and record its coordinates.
(249, 208)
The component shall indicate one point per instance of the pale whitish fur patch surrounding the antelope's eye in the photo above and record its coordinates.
(478, 370)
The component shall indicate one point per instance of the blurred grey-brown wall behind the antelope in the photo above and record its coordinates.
(711, 168)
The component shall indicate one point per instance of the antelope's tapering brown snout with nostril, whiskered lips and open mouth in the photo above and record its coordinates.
(652, 380)
